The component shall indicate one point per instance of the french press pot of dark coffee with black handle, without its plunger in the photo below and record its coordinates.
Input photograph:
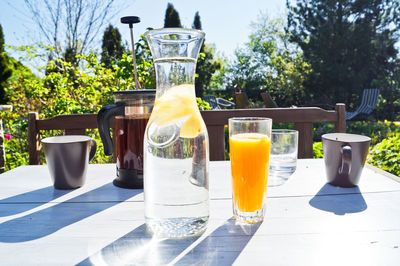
(131, 112)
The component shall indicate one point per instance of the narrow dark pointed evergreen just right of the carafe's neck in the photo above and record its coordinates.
(206, 64)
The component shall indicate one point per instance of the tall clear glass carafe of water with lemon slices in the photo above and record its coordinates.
(176, 152)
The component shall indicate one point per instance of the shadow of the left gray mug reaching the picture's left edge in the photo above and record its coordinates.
(29, 200)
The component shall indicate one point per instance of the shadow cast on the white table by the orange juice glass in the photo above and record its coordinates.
(222, 246)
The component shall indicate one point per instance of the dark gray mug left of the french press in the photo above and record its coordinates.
(67, 158)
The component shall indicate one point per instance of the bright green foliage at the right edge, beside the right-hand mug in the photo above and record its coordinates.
(386, 154)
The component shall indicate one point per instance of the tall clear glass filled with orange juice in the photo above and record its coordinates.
(249, 142)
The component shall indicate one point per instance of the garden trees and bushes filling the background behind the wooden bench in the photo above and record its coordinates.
(319, 53)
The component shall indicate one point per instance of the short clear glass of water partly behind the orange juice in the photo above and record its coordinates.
(283, 161)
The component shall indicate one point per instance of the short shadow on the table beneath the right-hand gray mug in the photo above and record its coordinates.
(339, 200)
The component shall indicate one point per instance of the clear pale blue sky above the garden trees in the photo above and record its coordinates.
(225, 22)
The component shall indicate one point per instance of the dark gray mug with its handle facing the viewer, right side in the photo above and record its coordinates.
(344, 156)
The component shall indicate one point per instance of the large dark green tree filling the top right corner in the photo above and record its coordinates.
(349, 44)
